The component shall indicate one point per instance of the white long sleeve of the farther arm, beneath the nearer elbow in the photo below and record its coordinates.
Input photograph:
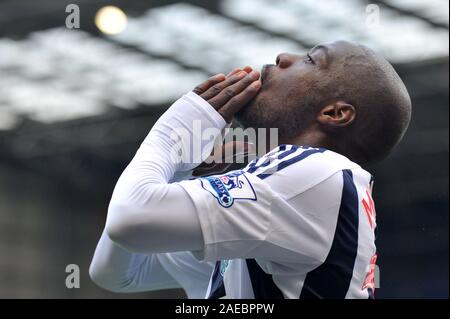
(116, 269)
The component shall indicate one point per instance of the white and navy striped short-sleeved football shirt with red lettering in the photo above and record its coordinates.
(310, 223)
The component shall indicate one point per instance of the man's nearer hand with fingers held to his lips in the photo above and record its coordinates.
(228, 94)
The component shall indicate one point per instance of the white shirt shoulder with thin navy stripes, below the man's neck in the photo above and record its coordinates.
(290, 170)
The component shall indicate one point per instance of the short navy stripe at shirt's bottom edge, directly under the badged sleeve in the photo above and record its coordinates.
(262, 283)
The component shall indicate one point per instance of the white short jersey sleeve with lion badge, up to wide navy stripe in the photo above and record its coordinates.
(247, 215)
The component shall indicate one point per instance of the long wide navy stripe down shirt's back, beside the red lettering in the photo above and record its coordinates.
(332, 278)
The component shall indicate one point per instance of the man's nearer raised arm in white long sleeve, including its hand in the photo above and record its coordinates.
(146, 213)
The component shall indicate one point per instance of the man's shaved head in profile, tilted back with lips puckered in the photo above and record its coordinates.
(340, 95)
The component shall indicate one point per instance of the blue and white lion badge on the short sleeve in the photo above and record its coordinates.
(229, 187)
